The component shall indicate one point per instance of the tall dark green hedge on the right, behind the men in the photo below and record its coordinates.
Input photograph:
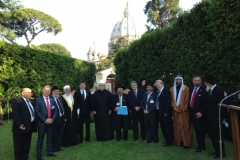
(205, 40)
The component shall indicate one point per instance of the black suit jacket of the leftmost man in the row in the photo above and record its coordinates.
(21, 115)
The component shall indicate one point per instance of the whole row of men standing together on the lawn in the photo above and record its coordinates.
(62, 117)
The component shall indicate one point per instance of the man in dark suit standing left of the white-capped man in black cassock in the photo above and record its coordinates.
(84, 103)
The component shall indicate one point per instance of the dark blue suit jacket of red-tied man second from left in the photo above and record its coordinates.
(41, 110)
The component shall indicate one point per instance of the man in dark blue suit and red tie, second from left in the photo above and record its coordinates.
(46, 111)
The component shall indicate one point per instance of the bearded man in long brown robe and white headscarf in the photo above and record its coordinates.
(181, 123)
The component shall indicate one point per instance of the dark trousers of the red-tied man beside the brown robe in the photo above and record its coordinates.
(198, 125)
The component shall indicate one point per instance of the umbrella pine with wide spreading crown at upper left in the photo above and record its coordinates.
(29, 23)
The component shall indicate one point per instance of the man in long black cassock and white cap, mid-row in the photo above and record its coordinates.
(102, 110)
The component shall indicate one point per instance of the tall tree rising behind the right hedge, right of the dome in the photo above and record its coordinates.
(160, 13)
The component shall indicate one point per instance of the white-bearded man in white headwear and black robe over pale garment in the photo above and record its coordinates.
(72, 113)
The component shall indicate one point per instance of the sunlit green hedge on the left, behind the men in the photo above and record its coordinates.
(25, 67)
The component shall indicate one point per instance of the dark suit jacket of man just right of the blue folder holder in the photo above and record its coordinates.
(132, 100)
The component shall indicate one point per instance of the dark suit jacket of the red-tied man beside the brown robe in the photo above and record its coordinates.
(198, 105)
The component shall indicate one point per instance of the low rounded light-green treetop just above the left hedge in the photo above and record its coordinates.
(55, 48)
